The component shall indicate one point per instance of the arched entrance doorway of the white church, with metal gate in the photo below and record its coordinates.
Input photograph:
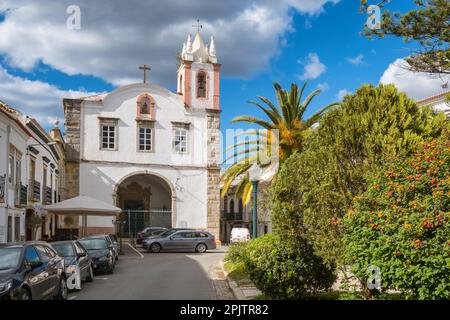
(146, 201)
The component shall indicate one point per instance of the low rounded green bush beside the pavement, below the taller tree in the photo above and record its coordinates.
(282, 270)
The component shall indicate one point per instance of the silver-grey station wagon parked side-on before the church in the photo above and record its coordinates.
(181, 240)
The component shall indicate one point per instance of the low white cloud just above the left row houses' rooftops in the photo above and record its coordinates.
(37, 99)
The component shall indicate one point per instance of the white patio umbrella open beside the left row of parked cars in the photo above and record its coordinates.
(83, 206)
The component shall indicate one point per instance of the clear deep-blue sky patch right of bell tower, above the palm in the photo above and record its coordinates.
(334, 36)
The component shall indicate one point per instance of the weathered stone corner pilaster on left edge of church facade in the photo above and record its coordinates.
(72, 115)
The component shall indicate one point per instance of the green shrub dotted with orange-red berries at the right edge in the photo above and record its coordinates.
(401, 225)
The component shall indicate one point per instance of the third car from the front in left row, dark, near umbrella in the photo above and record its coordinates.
(101, 253)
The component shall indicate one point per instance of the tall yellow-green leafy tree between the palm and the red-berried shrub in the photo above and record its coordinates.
(314, 188)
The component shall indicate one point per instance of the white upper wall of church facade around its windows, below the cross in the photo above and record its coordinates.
(122, 104)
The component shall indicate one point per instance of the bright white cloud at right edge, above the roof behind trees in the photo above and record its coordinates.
(415, 85)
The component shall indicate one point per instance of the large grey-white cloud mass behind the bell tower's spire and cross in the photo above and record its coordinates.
(118, 36)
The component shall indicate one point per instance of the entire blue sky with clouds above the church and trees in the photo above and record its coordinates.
(258, 42)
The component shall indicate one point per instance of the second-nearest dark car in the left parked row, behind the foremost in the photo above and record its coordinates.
(77, 261)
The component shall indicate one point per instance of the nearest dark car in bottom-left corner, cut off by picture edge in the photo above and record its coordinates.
(31, 270)
